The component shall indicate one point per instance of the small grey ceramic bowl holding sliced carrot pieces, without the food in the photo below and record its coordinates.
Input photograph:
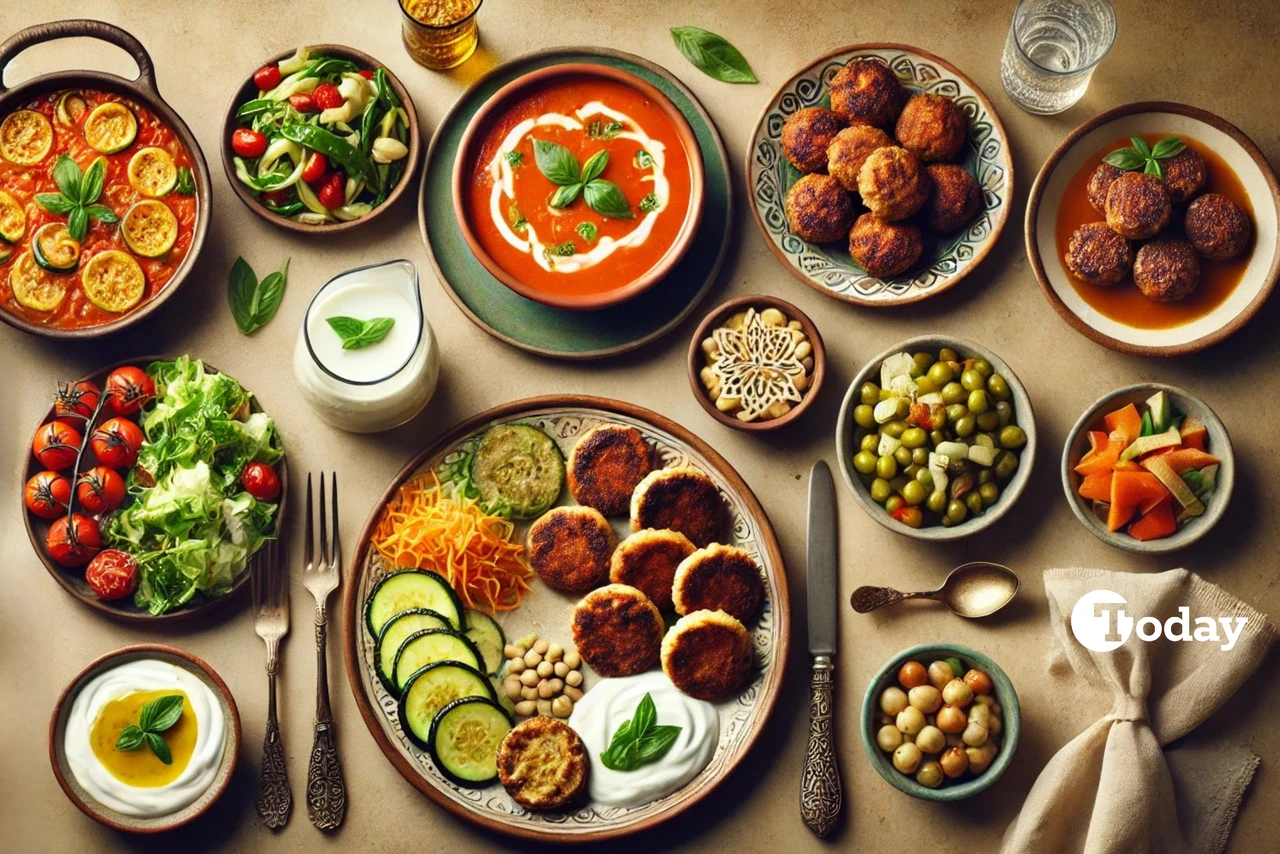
(1219, 445)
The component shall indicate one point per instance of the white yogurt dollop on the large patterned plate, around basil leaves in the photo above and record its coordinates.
(610, 704)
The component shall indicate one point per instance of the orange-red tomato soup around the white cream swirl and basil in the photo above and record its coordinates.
(554, 227)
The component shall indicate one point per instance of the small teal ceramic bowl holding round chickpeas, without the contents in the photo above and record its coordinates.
(1011, 718)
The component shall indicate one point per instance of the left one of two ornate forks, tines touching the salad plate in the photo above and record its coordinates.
(271, 584)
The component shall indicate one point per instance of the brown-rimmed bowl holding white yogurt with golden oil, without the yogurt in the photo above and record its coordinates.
(107, 816)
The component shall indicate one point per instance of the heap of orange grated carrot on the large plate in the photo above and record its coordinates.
(431, 529)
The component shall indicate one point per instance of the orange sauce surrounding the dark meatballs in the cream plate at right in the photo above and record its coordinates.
(1123, 302)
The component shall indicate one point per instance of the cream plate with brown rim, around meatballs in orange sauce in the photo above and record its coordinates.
(1241, 156)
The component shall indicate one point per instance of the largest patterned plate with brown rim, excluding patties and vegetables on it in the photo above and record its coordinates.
(550, 614)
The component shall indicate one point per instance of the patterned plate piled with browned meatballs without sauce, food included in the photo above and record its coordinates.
(880, 175)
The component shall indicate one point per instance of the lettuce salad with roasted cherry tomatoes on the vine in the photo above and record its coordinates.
(162, 483)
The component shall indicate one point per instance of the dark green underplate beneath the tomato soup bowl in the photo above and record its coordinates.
(555, 332)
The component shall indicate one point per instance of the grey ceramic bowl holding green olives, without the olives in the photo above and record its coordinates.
(847, 445)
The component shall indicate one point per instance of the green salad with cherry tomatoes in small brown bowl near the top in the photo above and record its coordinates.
(324, 140)
